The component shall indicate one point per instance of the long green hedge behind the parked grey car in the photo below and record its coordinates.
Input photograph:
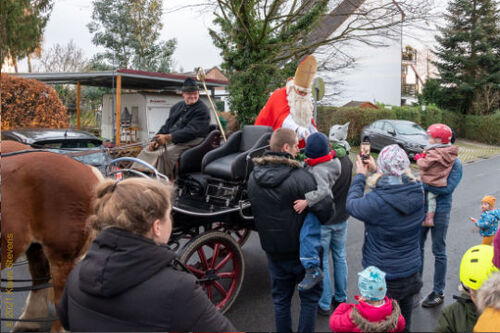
(479, 128)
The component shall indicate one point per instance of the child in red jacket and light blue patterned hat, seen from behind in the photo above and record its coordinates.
(375, 312)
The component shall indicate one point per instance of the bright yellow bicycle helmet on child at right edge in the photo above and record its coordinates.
(476, 266)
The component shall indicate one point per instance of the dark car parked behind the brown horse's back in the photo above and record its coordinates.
(63, 141)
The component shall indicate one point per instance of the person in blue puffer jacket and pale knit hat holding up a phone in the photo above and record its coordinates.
(392, 214)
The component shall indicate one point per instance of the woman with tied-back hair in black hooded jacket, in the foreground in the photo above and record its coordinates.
(129, 280)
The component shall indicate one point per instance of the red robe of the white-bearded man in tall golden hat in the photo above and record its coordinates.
(275, 112)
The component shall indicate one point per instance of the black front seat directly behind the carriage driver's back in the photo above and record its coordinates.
(190, 160)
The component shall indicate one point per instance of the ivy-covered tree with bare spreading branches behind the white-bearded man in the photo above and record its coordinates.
(261, 41)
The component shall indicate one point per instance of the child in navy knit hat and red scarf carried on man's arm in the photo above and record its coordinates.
(325, 168)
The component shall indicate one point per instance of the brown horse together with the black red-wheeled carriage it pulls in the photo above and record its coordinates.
(46, 200)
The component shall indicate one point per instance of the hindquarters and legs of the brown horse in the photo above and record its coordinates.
(46, 200)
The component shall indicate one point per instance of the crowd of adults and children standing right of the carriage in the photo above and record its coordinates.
(394, 206)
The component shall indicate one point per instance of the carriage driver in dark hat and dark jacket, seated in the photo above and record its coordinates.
(186, 127)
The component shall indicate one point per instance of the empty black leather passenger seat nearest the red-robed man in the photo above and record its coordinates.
(230, 160)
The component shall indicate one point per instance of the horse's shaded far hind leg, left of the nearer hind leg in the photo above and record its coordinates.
(37, 305)
